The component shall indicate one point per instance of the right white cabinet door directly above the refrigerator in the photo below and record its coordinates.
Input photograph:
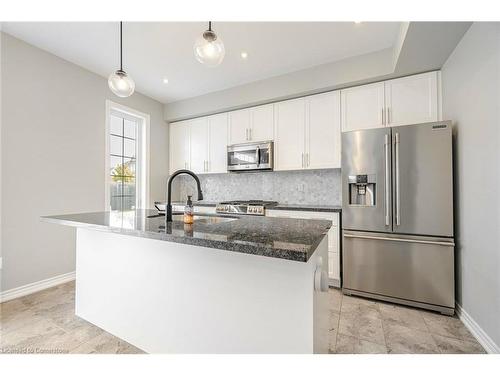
(412, 100)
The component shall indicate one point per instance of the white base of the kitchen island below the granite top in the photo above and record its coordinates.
(167, 297)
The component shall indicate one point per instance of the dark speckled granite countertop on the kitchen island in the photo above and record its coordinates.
(291, 239)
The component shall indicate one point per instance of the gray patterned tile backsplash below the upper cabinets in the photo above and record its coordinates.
(288, 187)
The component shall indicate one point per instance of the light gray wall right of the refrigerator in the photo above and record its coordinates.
(471, 98)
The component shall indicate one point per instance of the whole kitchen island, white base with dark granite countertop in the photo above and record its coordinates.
(221, 285)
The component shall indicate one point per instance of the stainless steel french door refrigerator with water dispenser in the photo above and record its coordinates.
(397, 215)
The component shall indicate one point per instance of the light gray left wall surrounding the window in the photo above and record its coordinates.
(52, 152)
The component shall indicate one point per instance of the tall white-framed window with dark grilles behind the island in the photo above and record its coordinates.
(126, 158)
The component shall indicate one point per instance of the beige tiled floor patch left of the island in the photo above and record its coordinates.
(45, 322)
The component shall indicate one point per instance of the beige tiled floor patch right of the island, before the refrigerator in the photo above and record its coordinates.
(359, 325)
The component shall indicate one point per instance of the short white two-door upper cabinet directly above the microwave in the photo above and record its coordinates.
(252, 124)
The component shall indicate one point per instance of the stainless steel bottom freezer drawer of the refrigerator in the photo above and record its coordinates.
(411, 268)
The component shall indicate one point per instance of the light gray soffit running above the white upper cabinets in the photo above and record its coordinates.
(420, 47)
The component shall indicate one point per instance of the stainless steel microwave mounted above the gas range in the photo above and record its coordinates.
(250, 157)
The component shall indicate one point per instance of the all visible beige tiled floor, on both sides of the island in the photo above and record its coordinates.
(45, 322)
